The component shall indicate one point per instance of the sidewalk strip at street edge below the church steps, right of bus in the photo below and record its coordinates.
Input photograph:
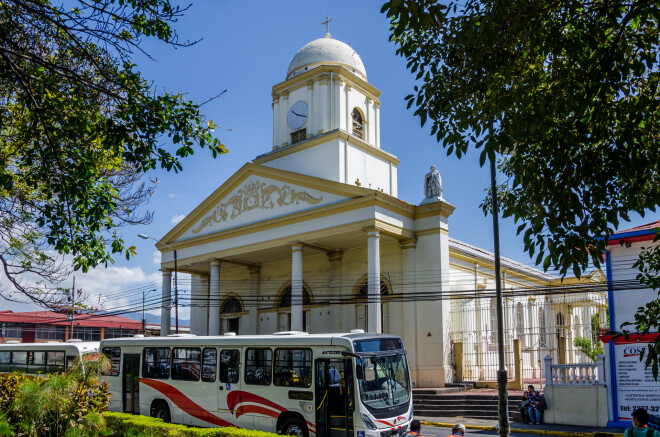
(544, 429)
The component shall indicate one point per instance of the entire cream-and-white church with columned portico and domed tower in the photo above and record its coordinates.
(311, 236)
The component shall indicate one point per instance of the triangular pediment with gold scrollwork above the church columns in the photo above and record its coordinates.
(257, 193)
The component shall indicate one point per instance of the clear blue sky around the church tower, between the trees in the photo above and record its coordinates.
(246, 48)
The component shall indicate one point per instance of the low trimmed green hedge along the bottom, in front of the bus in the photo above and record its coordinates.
(128, 424)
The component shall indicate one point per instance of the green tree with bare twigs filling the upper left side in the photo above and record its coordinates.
(79, 130)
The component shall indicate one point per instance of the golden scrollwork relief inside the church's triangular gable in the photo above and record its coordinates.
(255, 195)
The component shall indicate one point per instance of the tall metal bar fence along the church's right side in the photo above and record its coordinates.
(564, 326)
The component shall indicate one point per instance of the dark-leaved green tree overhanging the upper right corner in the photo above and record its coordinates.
(571, 87)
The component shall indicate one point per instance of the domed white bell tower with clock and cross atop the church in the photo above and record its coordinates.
(326, 119)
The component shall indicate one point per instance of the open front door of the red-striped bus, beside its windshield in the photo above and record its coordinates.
(334, 397)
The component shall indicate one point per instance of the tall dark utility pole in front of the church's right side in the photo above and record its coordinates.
(502, 395)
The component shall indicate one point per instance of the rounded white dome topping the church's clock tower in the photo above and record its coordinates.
(326, 51)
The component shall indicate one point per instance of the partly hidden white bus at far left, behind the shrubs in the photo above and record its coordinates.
(44, 358)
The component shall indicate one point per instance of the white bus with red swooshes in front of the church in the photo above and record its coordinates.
(291, 383)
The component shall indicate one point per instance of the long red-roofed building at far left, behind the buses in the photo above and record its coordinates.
(42, 326)
